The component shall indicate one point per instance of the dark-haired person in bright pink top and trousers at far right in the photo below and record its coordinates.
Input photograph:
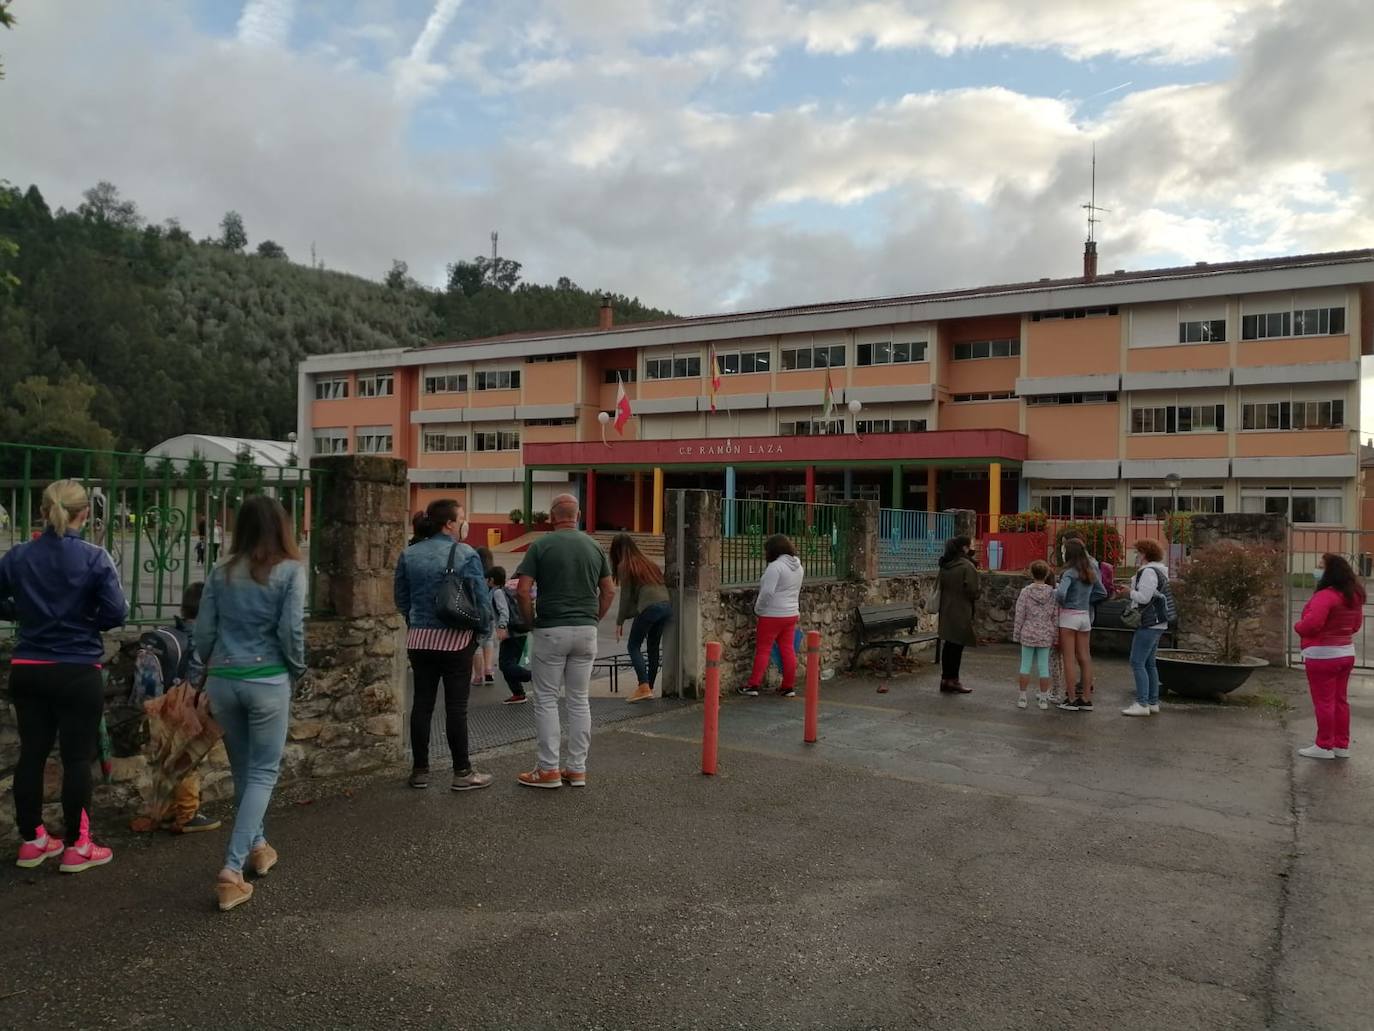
(1328, 628)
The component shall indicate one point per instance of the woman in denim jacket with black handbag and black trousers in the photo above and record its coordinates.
(442, 592)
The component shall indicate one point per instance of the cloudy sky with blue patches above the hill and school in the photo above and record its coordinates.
(719, 153)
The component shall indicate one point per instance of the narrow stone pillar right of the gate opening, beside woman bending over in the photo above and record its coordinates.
(693, 586)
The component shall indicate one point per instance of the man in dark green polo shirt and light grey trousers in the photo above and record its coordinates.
(575, 595)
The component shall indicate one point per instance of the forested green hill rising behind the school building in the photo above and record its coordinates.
(120, 333)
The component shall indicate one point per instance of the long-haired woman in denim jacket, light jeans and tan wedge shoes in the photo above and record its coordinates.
(252, 637)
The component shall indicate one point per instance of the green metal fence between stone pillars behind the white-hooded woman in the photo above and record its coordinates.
(820, 533)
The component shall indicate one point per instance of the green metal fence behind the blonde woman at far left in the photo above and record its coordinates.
(164, 522)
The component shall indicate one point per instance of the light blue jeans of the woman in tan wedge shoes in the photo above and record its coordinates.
(255, 716)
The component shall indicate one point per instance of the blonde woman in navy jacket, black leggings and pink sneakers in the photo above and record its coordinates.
(63, 592)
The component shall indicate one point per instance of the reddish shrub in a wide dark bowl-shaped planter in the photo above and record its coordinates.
(1224, 586)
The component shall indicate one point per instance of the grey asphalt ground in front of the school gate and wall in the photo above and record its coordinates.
(934, 861)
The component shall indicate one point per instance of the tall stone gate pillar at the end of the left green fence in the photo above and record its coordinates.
(347, 714)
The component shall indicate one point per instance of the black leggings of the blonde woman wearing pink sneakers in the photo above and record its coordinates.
(60, 703)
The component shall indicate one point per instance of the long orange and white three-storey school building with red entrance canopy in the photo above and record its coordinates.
(1211, 388)
